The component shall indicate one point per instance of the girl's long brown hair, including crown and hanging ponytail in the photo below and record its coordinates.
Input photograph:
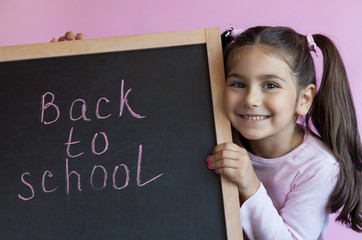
(332, 114)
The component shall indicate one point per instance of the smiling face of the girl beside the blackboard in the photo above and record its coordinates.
(261, 95)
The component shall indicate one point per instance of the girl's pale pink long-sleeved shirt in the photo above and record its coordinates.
(291, 201)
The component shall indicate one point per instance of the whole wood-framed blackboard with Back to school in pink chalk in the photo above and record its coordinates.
(100, 143)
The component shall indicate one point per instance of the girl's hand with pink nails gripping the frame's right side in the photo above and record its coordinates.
(233, 162)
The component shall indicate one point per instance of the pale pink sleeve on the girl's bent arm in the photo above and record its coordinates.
(302, 217)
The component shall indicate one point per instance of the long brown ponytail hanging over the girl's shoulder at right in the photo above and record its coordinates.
(333, 116)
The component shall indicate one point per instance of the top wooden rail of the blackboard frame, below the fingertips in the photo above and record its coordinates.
(100, 45)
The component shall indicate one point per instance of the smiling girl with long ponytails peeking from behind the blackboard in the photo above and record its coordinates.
(290, 177)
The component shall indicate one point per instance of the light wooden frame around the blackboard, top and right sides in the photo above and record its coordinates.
(210, 37)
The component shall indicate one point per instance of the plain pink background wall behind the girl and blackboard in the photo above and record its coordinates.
(37, 21)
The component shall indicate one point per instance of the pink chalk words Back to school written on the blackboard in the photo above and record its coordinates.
(73, 179)
